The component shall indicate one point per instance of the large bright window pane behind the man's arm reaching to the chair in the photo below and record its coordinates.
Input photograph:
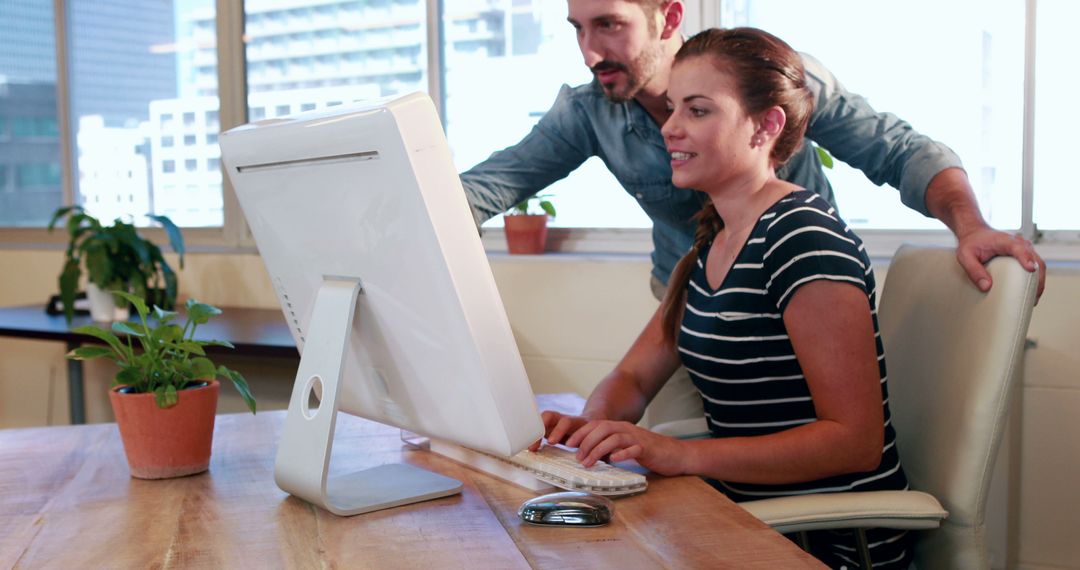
(961, 84)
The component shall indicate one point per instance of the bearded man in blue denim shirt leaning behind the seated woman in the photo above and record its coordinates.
(629, 46)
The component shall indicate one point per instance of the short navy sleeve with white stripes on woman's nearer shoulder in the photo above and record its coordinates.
(805, 245)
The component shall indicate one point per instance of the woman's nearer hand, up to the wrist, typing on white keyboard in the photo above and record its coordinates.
(619, 441)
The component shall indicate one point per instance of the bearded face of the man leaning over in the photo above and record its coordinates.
(620, 45)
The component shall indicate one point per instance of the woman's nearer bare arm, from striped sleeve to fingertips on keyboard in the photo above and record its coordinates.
(831, 329)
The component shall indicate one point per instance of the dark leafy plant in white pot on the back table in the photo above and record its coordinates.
(116, 257)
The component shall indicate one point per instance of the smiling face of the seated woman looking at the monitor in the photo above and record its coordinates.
(709, 133)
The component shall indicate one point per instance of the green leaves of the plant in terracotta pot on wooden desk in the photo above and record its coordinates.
(171, 358)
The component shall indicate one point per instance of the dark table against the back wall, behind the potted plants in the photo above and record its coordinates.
(253, 332)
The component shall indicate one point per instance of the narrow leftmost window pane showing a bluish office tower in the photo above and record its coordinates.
(30, 142)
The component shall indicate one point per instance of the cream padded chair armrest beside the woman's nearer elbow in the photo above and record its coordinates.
(897, 510)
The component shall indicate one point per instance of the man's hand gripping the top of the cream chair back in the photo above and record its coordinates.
(978, 248)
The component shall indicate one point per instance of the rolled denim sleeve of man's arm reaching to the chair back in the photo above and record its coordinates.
(887, 150)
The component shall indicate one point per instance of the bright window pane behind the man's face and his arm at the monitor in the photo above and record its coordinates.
(533, 50)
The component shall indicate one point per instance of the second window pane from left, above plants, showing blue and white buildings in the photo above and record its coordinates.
(134, 75)
